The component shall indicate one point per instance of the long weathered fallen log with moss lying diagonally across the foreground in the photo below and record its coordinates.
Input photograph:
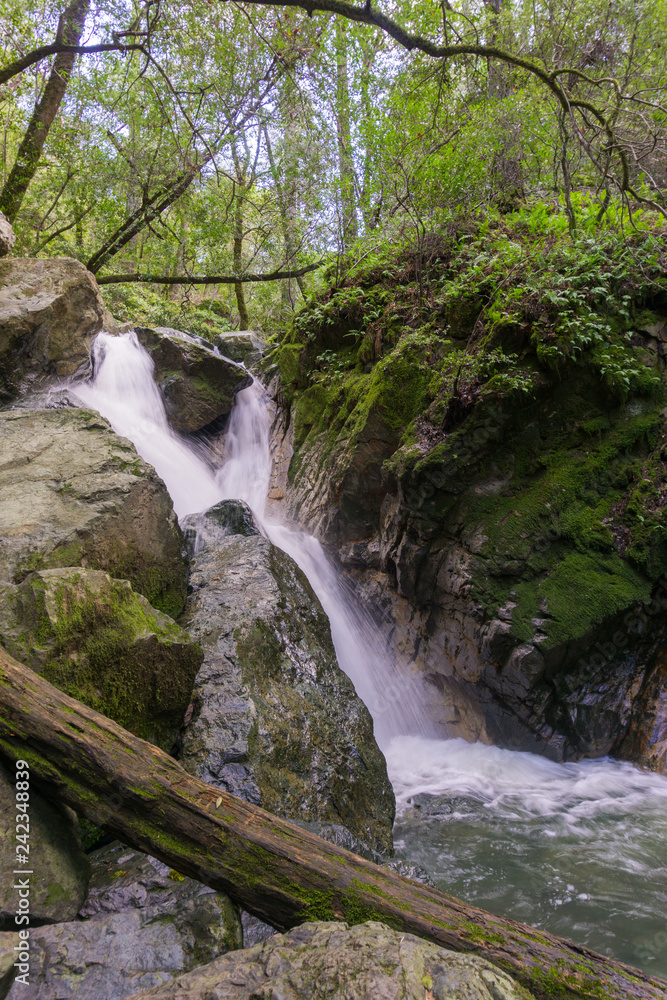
(274, 869)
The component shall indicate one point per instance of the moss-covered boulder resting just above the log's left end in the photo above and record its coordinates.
(96, 639)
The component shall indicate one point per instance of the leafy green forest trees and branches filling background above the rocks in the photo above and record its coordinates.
(255, 140)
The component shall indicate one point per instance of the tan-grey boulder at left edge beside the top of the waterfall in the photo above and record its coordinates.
(50, 311)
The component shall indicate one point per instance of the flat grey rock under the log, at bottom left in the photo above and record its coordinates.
(142, 925)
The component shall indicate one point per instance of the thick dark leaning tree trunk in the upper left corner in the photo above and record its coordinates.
(70, 30)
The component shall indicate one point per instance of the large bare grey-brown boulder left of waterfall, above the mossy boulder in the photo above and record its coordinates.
(74, 493)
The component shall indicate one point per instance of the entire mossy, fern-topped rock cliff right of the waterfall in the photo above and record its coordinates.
(483, 421)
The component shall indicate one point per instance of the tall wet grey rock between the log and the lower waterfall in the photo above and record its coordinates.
(275, 719)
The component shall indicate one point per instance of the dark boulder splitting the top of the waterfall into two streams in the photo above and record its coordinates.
(197, 385)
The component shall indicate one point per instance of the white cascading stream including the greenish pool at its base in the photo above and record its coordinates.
(578, 849)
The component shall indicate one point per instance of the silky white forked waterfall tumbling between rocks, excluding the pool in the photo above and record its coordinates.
(124, 392)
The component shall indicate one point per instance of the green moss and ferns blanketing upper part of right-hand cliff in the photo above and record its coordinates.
(514, 381)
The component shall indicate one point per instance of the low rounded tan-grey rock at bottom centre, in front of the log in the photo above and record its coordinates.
(329, 960)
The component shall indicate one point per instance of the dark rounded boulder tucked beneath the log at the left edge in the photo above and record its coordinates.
(60, 869)
